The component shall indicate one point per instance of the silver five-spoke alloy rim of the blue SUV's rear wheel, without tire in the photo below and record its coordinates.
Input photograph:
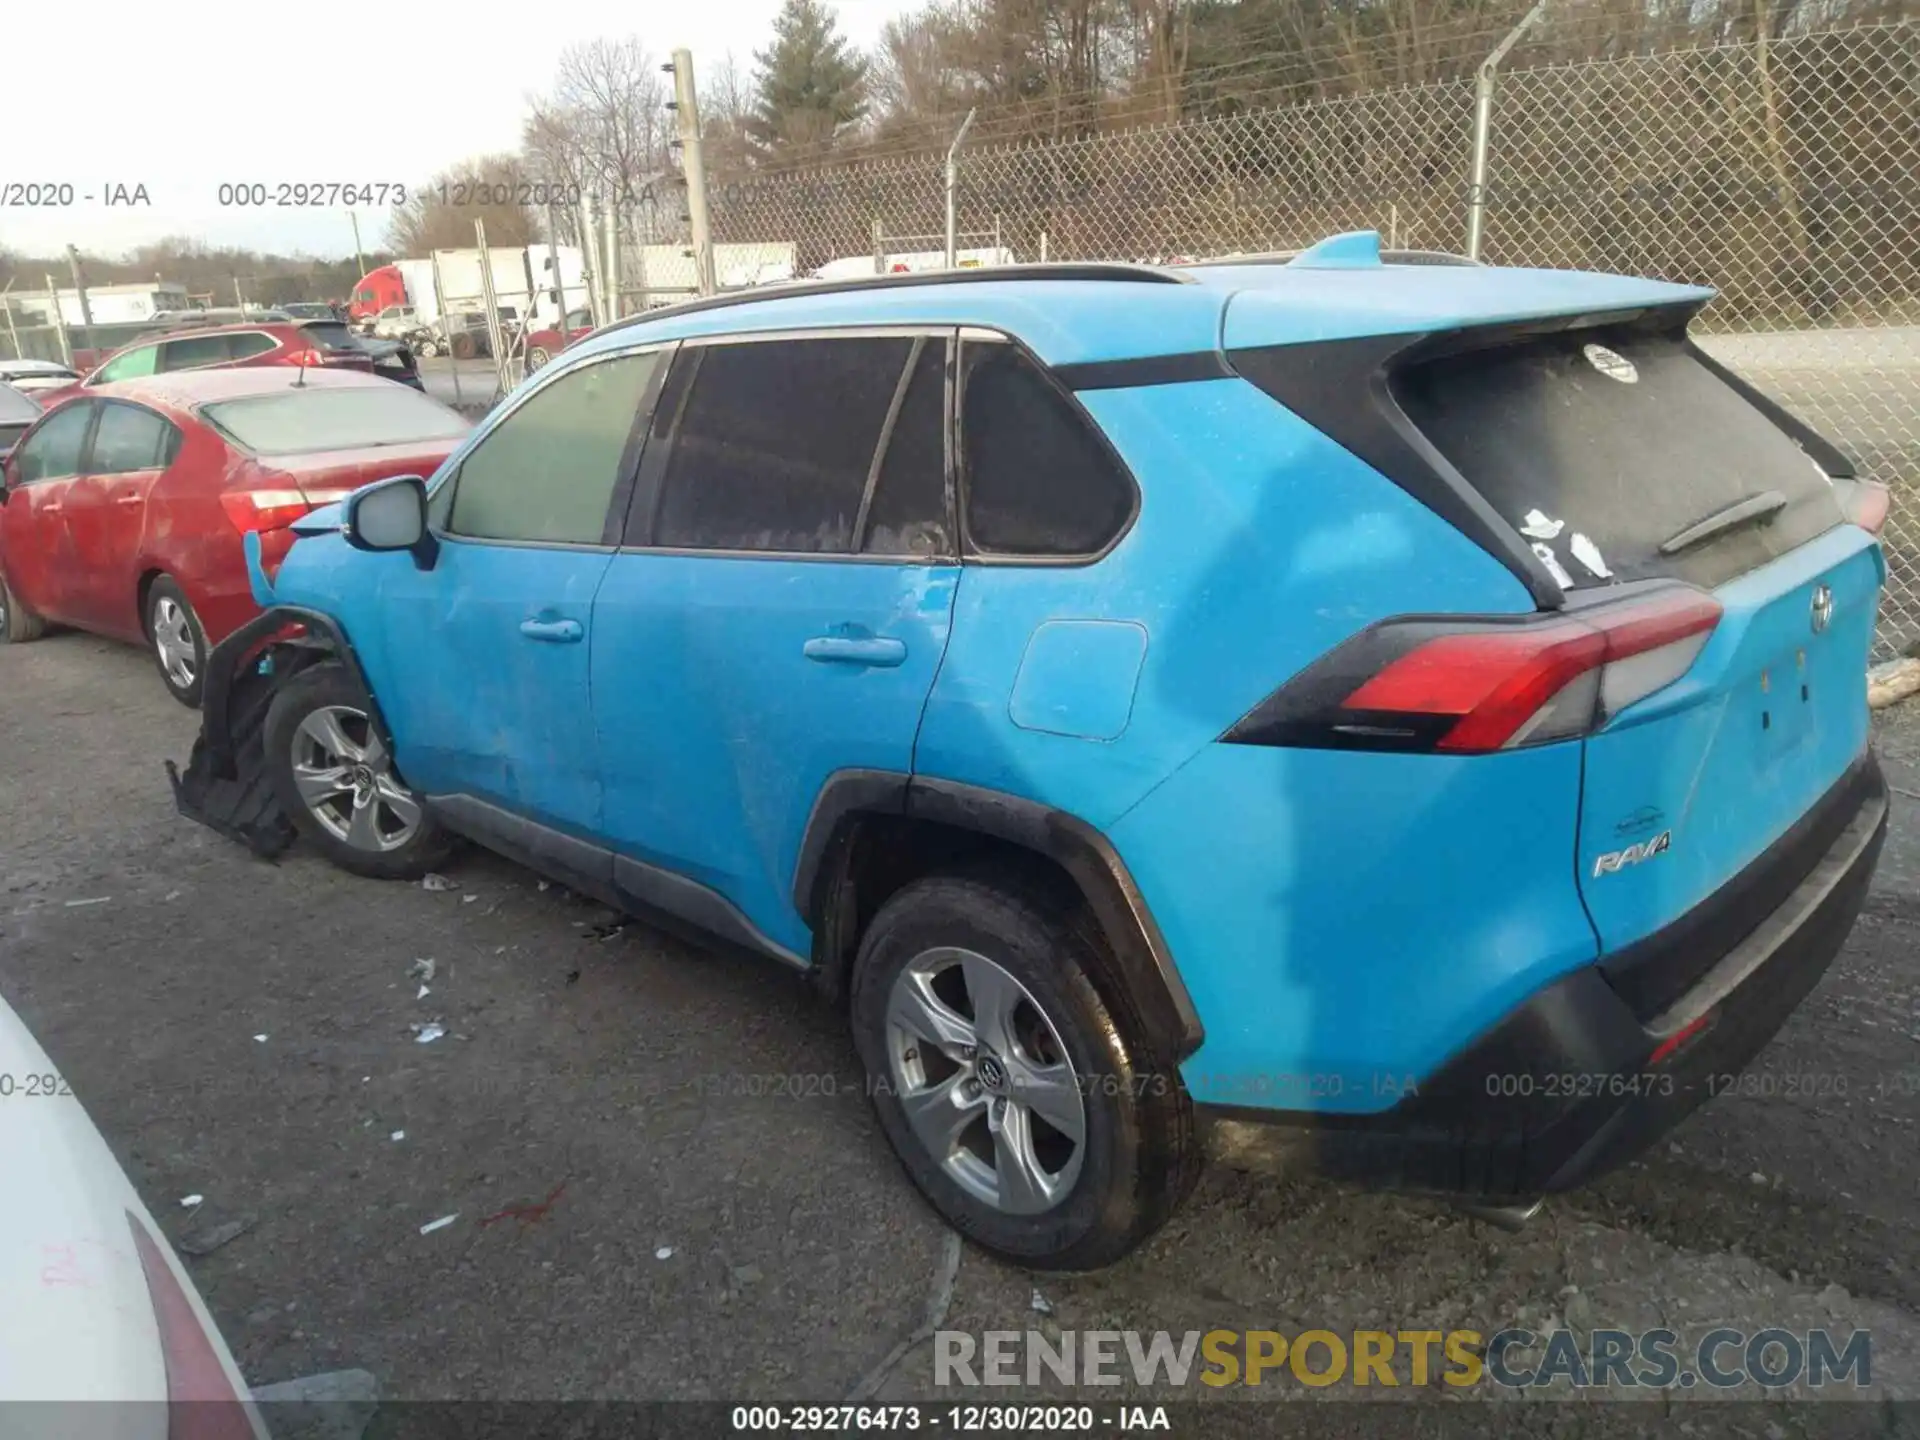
(984, 1082)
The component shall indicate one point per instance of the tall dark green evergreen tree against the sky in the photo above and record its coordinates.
(809, 85)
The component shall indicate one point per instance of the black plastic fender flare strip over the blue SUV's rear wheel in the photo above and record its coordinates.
(1080, 850)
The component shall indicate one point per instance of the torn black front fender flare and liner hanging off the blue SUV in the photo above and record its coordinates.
(228, 784)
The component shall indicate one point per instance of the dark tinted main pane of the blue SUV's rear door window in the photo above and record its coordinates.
(777, 443)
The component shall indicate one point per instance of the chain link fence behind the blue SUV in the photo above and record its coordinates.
(1787, 176)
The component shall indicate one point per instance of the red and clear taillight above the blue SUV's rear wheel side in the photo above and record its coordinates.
(1487, 684)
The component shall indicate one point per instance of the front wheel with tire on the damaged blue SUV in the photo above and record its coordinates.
(370, 825)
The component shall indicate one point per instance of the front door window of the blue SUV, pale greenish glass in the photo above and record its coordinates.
(548, 471)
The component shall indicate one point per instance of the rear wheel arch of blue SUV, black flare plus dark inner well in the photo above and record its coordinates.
(873, 830)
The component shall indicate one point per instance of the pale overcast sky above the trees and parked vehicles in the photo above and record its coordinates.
(185, 95)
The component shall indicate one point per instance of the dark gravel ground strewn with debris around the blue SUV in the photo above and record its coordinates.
(646, 1211)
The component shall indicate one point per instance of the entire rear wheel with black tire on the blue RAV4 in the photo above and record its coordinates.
(1138, 1157)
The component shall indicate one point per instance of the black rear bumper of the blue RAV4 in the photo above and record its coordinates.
(1575, 1082)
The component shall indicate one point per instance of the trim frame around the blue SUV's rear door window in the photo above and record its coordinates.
(648, 494)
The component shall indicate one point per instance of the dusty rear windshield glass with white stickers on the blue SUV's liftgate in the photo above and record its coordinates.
(1606, 446)
